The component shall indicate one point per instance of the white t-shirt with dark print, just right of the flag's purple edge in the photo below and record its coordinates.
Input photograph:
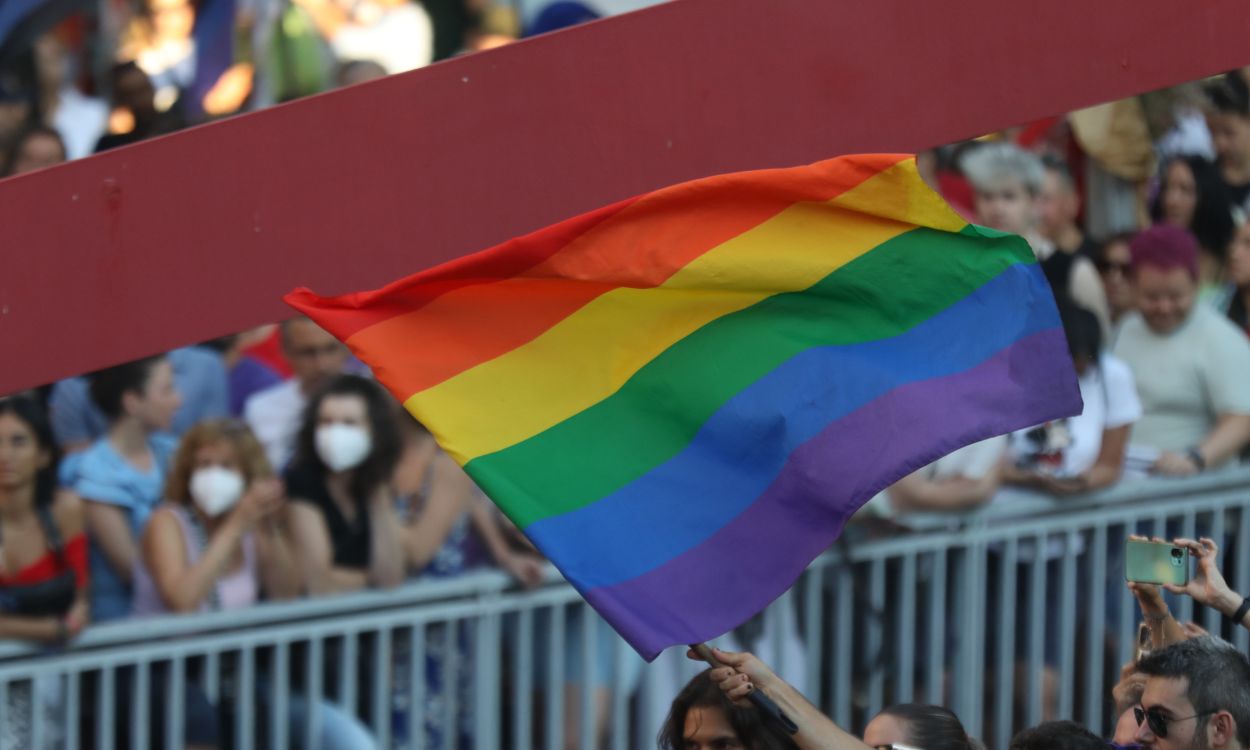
(1071, 447)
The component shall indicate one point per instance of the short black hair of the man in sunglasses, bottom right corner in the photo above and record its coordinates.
(1218, 676)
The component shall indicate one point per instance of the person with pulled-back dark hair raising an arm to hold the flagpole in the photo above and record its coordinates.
(907, 727)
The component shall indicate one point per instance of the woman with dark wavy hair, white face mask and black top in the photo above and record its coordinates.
(342, 516)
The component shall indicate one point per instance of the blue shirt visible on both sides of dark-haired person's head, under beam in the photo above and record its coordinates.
(199, 376)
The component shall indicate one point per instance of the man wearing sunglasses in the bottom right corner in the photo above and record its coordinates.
(1197, 698)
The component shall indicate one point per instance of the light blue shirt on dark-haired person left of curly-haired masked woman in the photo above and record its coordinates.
(102, 476)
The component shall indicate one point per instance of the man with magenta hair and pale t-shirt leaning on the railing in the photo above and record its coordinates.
(1192, 366)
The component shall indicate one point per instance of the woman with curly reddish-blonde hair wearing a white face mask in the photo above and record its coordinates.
(219, 543)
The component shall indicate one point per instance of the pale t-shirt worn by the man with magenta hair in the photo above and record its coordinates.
(1187, 379)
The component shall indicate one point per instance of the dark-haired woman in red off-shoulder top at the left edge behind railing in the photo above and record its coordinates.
(43, 557)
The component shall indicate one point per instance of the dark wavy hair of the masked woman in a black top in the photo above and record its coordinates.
(387, 443)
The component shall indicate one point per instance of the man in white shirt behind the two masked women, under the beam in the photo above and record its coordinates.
(274, 414)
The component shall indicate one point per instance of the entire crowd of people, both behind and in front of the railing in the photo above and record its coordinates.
(268, 466)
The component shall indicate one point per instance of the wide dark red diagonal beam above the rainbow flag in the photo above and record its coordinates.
(199, 234)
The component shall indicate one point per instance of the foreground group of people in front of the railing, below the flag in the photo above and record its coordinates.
(1187, 689)
